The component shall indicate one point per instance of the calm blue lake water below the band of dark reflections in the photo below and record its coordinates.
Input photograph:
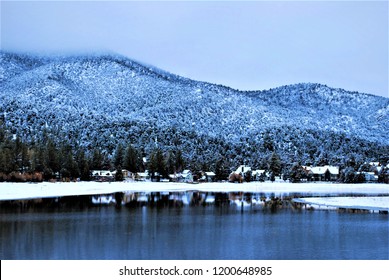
(191, 233)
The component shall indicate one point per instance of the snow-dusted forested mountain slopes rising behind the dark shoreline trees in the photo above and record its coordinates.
(101, 100)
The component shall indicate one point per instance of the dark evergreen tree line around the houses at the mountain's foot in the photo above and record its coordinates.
(47, 159)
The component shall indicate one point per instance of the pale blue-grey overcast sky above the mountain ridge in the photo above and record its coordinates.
(245, 45)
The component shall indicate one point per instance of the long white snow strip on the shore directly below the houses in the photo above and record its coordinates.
(14, 191)
